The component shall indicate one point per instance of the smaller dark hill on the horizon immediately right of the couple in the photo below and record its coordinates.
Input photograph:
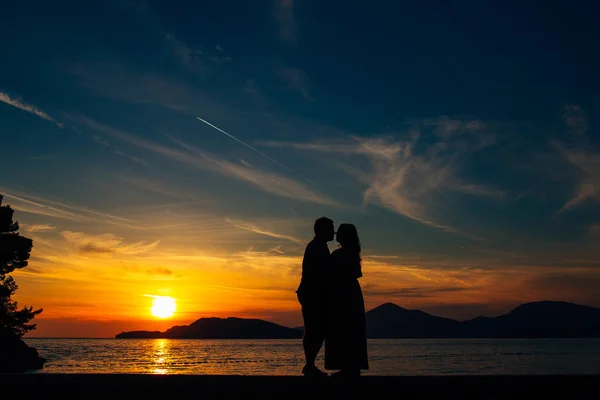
(391, 321)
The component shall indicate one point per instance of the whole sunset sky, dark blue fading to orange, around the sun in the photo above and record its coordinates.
(461, 139)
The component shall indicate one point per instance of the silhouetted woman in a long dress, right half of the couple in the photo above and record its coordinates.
(346, 340)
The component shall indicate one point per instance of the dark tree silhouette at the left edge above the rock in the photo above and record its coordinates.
(14, 254)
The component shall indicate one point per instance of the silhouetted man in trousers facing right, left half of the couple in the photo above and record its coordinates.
(312, 296)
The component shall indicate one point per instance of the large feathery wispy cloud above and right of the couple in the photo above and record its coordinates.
(408, 177)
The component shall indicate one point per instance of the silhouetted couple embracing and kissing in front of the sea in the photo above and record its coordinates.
(332, 303)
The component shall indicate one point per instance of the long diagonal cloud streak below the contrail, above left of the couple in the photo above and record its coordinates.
(267, 181)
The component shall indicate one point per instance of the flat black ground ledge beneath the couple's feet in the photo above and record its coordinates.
(174, 387)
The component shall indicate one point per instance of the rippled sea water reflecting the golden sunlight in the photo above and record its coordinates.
(285, 357)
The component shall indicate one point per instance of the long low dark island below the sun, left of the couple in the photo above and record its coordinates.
(221, 328)
